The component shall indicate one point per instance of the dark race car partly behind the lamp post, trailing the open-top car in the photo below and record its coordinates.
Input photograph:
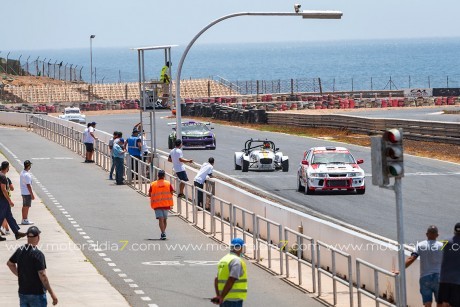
(195, 135)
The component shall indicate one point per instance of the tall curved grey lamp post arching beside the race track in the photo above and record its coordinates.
(304, 14)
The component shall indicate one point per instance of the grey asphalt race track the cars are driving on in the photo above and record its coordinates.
(430, 187)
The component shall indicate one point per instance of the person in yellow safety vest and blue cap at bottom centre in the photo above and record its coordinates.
(231, 283)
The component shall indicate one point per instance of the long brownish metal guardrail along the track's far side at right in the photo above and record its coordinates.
(413, 129)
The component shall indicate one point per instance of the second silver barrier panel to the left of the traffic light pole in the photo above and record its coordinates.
(345, 280)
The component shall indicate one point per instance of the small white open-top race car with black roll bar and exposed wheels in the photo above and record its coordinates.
(260, 155)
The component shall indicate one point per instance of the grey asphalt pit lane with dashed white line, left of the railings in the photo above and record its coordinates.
(116, 229)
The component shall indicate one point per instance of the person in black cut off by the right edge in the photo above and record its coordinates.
(449, 287)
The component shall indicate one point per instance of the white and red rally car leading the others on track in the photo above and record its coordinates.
(330, 168)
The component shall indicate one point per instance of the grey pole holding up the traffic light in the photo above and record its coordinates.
(402, 300)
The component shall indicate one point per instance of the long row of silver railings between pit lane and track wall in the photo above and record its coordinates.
(139, 174)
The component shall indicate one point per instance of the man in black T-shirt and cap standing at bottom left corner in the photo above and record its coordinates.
(29, 265)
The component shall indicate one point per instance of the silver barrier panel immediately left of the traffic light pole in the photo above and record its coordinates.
(376, 270)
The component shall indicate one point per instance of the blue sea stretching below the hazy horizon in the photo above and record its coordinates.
(357, 64)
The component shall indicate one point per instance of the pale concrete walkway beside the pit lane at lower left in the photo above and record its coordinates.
(73, 278)
